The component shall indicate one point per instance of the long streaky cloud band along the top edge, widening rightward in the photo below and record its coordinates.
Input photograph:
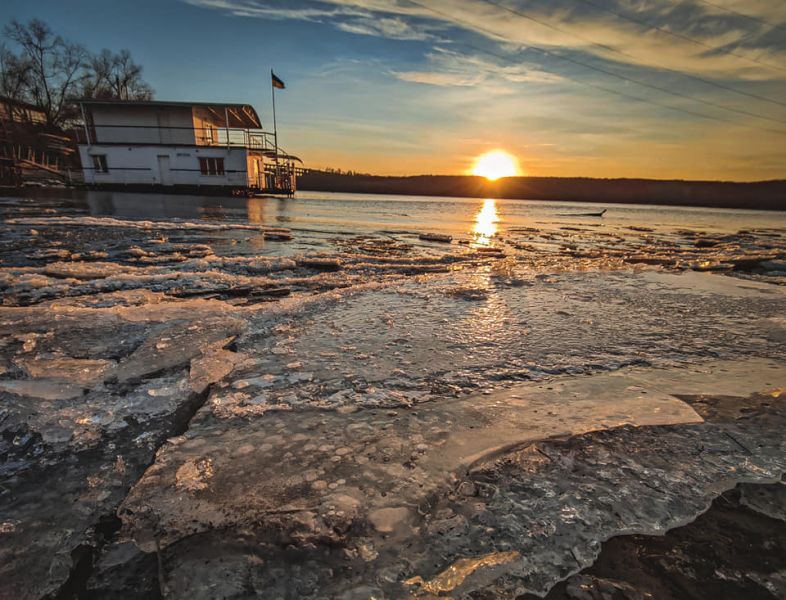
(629, 32)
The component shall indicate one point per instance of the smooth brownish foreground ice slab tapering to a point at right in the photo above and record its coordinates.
(305, 459)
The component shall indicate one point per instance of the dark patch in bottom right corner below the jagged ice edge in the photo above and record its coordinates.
(701, 560)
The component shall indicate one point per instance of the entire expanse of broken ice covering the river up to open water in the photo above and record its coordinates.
(279, 411)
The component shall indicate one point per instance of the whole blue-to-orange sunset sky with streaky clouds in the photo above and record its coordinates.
(667, 89)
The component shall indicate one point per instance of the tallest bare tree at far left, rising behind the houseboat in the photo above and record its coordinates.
(56, 67)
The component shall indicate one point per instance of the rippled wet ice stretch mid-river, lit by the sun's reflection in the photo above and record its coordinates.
(398, 347)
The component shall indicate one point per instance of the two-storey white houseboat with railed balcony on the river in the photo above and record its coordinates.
(181, 146)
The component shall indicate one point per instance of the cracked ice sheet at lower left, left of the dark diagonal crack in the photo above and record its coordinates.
(71, 446)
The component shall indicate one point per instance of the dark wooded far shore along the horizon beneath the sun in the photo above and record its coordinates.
(766, 195)
